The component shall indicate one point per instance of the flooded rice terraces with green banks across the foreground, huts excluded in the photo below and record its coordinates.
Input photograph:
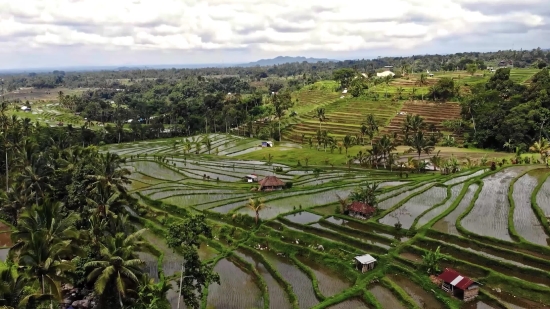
(300, 255)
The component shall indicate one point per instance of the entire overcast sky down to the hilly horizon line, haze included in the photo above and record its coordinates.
(64, 33)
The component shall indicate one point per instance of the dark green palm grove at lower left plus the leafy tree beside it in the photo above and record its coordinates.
(66, 204)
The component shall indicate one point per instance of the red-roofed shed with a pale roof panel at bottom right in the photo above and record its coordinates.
(459, 286)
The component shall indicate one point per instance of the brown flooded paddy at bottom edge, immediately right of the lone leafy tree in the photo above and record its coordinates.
(237, 289)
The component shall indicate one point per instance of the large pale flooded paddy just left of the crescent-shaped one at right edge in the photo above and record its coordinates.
(489, 217)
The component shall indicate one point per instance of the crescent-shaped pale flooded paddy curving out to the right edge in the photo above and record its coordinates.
(525, 221)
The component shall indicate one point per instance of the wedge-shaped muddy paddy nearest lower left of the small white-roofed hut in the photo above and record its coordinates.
(330, 282)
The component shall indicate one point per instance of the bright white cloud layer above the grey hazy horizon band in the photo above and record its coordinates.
(259, 26)
